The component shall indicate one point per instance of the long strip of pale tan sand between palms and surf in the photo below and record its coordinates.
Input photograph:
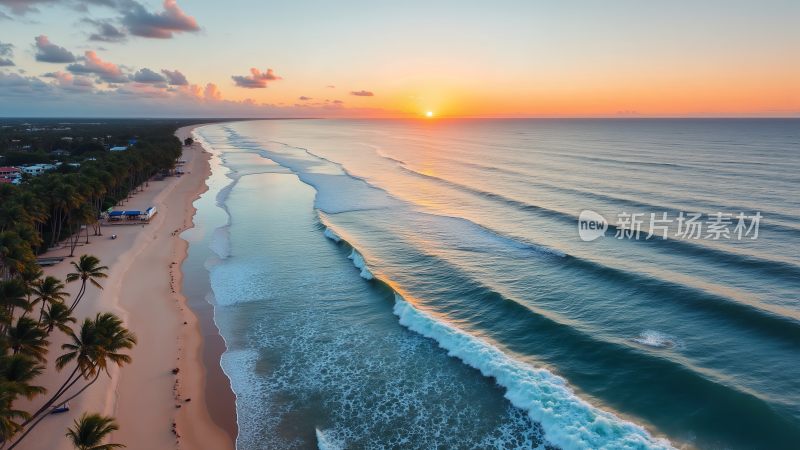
(155, 408)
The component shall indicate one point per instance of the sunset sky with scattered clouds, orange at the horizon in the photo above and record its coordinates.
(345, 58)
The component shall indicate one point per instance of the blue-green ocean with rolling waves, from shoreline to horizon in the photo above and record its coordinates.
(428, 283)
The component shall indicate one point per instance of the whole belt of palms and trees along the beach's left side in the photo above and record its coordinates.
(58, 209)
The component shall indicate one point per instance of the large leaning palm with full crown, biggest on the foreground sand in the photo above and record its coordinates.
(98, 343)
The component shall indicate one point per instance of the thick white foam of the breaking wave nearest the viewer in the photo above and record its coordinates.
(568, 421)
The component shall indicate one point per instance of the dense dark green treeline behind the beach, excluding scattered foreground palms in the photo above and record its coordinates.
(54, 206)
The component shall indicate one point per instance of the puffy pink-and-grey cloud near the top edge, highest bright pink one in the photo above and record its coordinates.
(141, 22)
